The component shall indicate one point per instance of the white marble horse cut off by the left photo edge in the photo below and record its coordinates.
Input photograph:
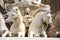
(3, 26)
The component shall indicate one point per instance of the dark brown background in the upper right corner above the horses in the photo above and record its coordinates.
(54, 4)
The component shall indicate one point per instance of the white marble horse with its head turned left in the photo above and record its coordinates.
(18, 26)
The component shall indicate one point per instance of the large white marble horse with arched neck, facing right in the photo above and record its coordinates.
(37, 27)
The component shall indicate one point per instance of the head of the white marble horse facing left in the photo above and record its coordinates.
(11, 15)
